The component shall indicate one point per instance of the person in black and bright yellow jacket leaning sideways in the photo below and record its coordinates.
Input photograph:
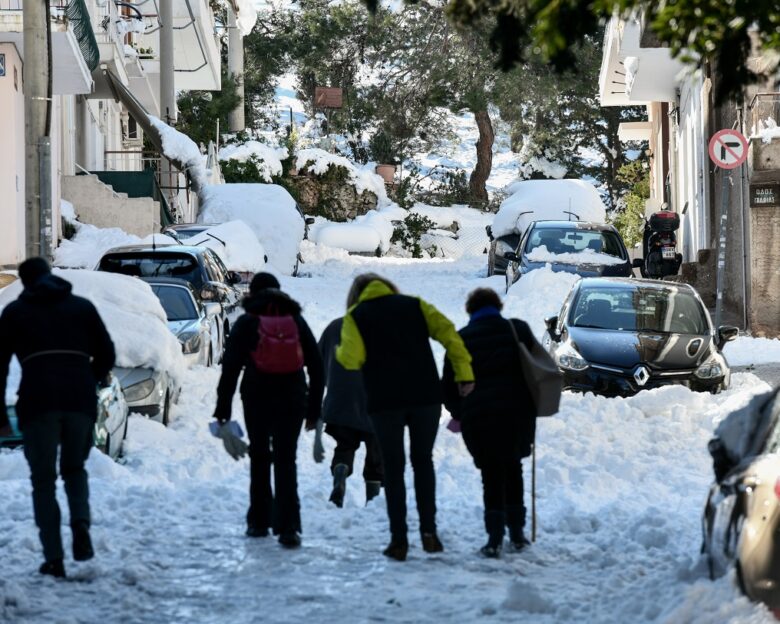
(386, 335)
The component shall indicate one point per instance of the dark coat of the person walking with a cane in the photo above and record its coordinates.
(498, 416)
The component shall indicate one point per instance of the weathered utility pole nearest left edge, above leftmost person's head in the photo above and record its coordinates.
(37, 166)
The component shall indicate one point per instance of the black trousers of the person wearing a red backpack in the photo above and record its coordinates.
(273, 439)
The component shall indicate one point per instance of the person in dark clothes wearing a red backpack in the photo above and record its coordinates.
(275, 407)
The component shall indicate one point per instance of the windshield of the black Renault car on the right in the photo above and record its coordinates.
(663, 310)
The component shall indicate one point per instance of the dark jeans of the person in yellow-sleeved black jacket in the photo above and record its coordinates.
(389, 426)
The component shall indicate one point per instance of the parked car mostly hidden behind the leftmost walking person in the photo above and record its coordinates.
(110, 427)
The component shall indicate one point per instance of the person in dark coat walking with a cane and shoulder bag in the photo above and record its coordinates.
(498, 419)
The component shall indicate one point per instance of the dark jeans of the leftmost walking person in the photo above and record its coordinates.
(42, 434)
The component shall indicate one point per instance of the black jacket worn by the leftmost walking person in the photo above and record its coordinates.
(63, 348)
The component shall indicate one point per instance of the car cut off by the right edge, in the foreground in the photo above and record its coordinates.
(741, 520)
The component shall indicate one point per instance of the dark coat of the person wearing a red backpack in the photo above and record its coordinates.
(259, 390)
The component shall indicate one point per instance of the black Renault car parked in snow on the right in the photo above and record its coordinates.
(618, 336)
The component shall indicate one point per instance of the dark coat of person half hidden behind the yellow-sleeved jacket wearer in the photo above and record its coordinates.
(345, 401)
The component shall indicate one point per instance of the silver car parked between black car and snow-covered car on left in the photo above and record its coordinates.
(195, 323)
